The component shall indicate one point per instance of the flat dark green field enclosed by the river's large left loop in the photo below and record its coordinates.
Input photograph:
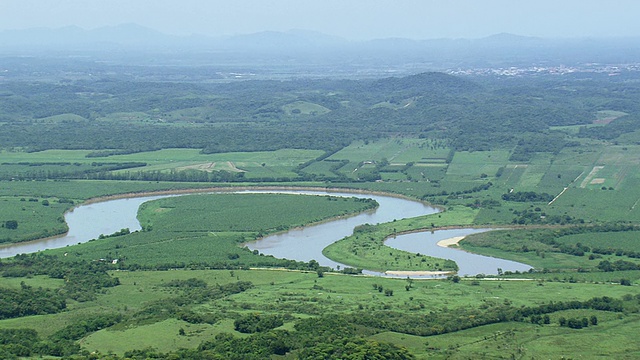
(208, 229)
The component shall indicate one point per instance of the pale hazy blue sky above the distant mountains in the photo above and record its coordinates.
(351, 19)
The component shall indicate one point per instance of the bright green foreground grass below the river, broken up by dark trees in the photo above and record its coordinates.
(304, 294)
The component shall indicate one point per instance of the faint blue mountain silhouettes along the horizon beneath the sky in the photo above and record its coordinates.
(128, 35)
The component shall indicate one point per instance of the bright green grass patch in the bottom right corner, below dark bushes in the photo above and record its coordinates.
(529, 341)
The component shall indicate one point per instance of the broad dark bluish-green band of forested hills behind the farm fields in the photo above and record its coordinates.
(474, 113)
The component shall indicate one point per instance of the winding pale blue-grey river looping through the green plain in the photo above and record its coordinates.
(89, 221)
